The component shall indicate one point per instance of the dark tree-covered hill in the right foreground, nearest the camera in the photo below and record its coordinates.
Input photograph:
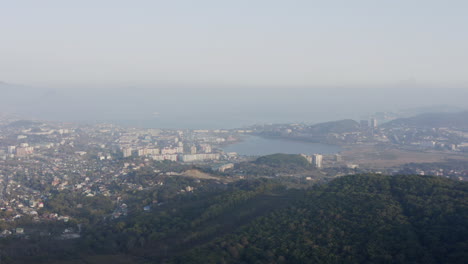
(356, 219)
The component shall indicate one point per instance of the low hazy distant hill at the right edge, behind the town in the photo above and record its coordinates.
(458, 120)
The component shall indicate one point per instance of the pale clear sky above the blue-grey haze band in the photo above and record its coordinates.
(238, 42)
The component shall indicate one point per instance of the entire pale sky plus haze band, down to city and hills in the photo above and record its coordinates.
(216, 63)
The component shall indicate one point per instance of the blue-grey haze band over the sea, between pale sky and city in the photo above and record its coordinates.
(201, 107)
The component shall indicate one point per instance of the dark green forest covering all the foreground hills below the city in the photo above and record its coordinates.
(352, 219)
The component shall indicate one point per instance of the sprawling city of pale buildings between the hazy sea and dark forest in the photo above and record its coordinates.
(40, 158)
